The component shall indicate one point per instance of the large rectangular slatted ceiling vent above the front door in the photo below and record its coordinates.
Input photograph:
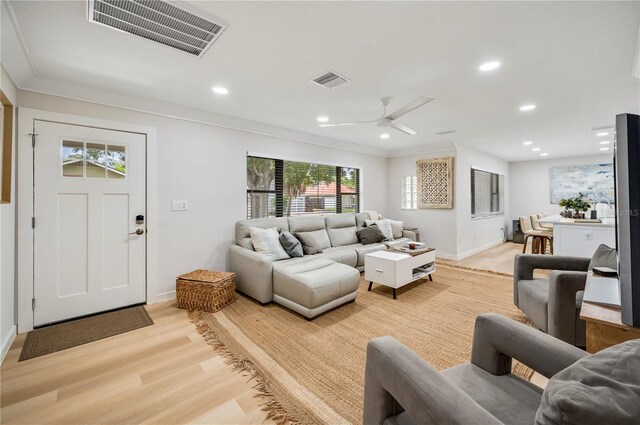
(158, 21)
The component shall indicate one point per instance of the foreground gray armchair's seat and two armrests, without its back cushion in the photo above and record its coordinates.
(403, 389)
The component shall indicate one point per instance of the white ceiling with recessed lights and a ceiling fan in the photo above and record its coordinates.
(574, 60)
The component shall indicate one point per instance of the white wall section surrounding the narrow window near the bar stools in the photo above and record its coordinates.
(474, 235)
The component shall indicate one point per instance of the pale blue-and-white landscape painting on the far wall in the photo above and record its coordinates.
(595, 181)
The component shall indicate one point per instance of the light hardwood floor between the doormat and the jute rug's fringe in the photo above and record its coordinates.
(161, 374)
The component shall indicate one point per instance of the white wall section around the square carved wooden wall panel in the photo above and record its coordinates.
(438, 227)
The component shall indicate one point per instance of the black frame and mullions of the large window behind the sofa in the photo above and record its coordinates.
(278, 189)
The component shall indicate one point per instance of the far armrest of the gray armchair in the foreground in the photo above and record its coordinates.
(497, 339)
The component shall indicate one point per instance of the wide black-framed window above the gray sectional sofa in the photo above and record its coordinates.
(277, 188)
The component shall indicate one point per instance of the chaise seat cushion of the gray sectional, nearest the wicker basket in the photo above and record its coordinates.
(312, 282)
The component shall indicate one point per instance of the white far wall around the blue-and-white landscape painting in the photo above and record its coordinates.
(530, 183)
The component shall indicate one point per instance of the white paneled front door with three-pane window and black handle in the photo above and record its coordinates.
(89, 187)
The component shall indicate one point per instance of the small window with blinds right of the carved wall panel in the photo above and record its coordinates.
(487, 193)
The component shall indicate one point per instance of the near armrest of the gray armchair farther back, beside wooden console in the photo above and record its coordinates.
(563, 286)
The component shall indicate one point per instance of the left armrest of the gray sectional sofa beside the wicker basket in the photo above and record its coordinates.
(253, 271)
